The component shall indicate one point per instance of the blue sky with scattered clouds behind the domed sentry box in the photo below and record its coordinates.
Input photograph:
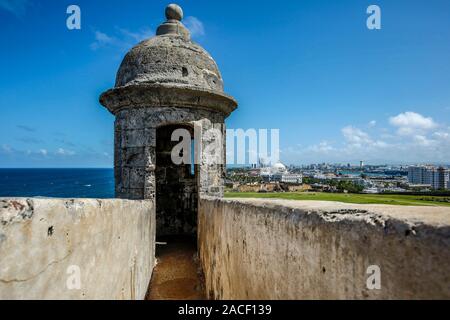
(337, 91)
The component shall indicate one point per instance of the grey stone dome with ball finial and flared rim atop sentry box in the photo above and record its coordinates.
(168, 70)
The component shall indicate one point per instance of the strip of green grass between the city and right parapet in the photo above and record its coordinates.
(401, 200)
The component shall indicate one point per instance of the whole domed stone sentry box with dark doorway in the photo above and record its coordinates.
(164, 83)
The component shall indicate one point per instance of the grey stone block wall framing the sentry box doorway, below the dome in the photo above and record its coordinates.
(135, 144)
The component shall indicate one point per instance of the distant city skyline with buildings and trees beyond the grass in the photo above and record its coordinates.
(359, 177)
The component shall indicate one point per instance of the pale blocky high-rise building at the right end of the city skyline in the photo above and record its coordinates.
(436, 178)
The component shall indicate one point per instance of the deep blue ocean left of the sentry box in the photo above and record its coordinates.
(57, 183)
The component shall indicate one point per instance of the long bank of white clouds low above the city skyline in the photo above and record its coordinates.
(383, 145)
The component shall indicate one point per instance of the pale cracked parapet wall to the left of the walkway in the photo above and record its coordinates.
(43, 242)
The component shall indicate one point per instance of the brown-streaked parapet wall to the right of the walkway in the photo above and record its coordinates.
(275, 249)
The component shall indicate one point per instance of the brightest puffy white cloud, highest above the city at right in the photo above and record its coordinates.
(410, 123)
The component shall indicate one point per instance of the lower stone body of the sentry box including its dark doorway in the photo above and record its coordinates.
(136, 164)
